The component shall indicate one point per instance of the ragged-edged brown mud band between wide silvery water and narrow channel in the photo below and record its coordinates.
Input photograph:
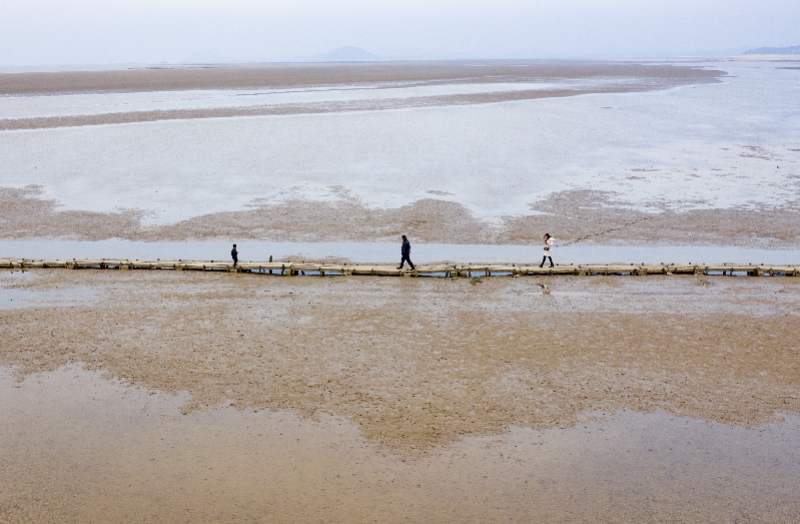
(579, 217)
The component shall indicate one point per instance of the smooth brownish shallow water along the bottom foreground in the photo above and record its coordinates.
(97, 450)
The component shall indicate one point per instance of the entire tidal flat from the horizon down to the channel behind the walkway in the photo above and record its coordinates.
(703, 164)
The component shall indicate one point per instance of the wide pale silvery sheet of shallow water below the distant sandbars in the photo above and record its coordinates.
(716, 145)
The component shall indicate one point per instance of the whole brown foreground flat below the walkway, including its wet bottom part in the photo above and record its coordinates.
(211, 397)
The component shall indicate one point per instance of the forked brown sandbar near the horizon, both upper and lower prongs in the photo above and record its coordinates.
(628, 77)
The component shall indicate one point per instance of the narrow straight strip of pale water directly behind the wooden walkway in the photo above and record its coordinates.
(389, 253)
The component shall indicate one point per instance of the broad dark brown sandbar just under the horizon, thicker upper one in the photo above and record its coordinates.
(283, 76)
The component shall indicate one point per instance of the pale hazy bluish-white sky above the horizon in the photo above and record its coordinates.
(36, 32)
